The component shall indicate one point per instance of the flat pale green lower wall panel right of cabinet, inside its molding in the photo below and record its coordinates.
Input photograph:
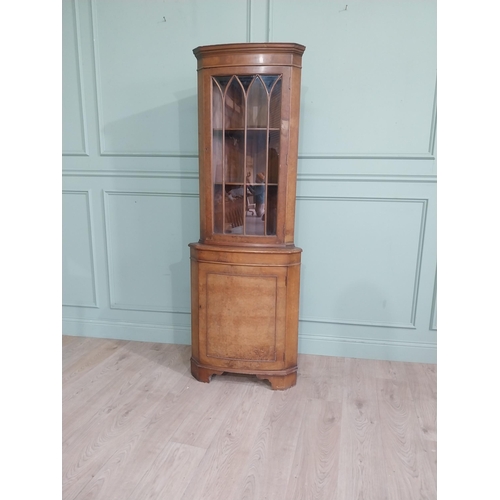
(372, 257)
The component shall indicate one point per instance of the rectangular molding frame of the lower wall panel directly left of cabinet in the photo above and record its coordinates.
(115, 304)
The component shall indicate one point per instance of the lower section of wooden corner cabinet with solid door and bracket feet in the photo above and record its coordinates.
(245, 304)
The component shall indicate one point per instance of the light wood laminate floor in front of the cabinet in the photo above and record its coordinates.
(136, 426)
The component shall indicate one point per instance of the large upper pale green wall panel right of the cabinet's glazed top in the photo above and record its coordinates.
(375, 94)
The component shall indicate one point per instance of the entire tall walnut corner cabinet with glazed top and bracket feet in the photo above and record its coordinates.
(245, 269)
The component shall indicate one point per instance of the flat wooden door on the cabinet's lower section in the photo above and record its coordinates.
(242, 316)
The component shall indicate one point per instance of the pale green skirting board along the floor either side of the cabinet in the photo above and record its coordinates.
(420, 352)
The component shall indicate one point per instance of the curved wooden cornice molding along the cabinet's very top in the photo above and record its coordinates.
(249, 54)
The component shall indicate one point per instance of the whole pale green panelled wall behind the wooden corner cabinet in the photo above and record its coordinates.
(366, 204)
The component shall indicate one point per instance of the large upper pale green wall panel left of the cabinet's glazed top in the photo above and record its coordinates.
(146, 92)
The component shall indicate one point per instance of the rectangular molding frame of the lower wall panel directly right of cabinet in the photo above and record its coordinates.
(417, 266)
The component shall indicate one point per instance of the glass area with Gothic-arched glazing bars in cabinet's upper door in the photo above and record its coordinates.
(246, 139)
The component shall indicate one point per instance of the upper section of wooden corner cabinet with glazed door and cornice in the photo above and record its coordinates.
(248, 131)
